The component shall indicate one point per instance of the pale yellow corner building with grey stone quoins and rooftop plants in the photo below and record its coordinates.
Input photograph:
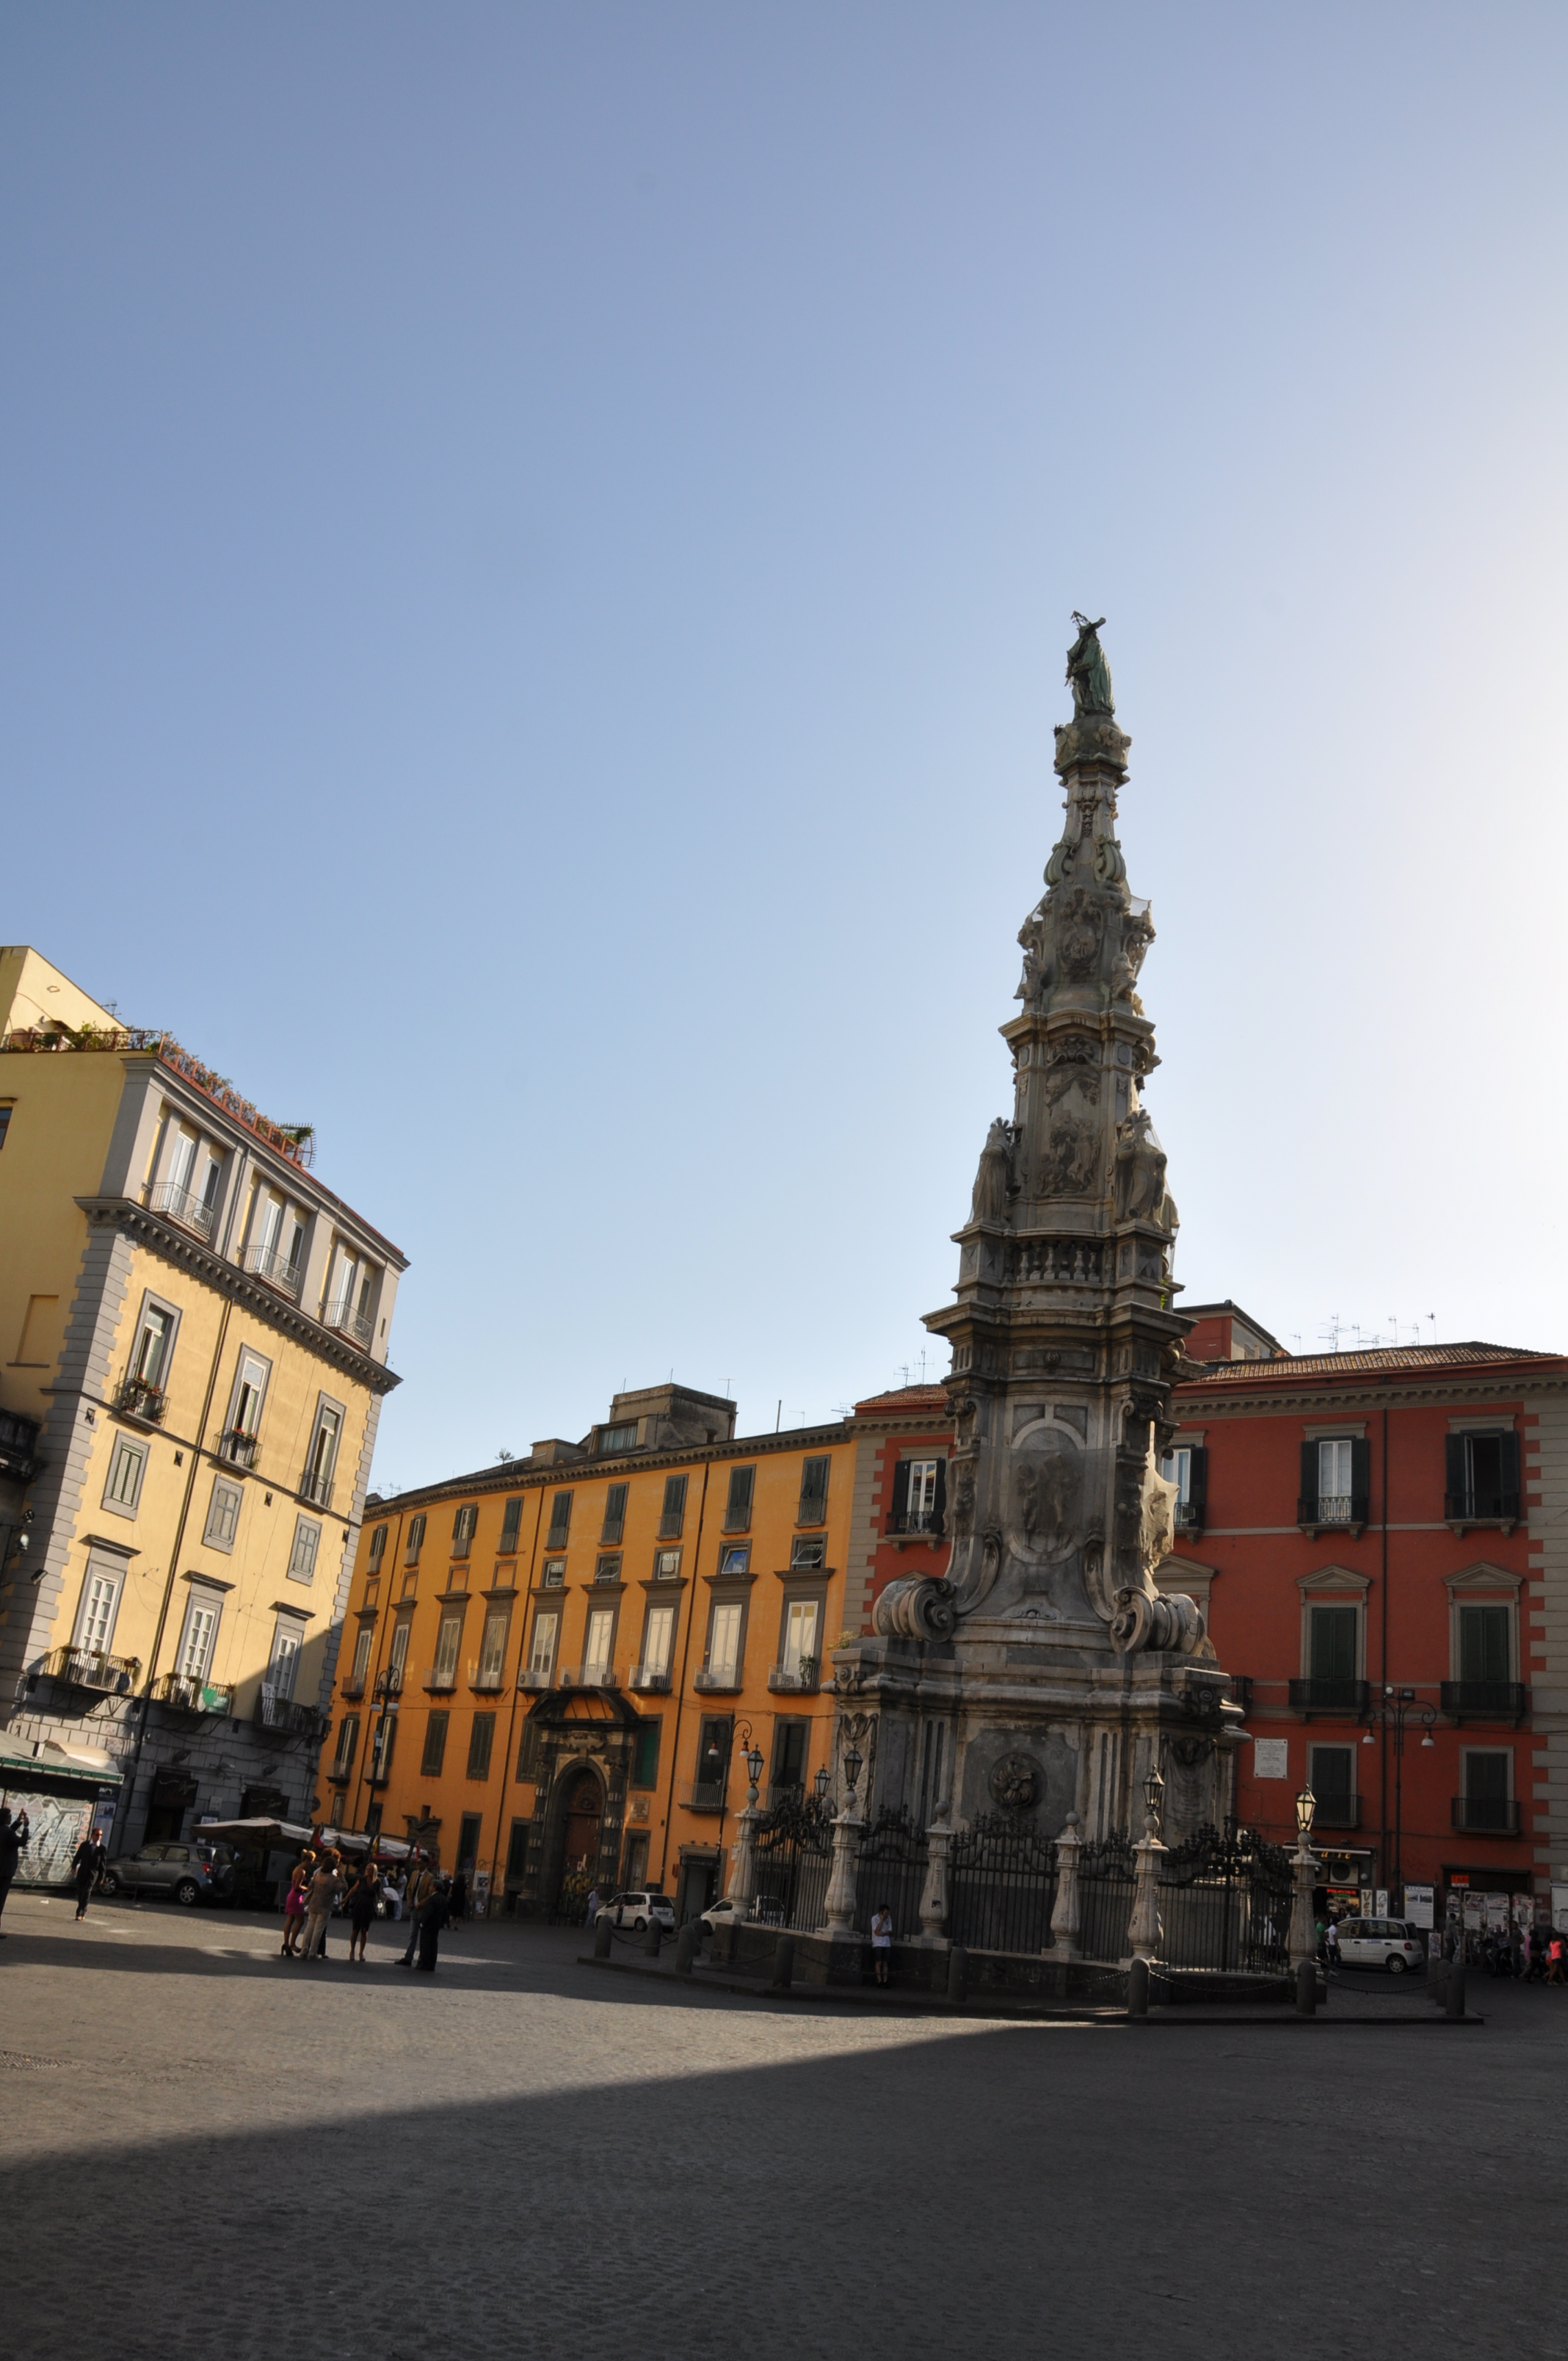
(195, 1349)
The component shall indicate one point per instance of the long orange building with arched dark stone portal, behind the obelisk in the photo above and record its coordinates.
(556, 1663)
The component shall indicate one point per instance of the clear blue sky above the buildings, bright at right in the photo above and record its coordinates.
(537, 565)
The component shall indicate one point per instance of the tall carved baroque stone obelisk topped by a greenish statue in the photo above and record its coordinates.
(1047, 1673)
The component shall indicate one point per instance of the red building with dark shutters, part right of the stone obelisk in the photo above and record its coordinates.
(1359, 1529)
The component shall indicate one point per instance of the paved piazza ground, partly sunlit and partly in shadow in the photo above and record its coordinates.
(211, 2152)
